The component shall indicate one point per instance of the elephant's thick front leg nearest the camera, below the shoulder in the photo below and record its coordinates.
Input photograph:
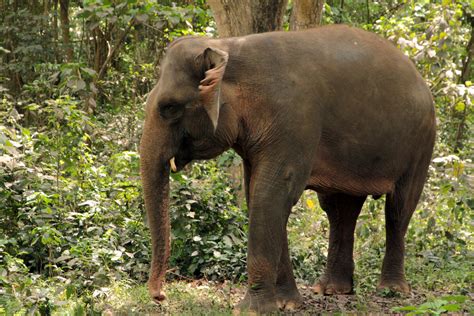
(271, 195)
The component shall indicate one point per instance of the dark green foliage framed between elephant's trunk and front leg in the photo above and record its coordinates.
(208, 227)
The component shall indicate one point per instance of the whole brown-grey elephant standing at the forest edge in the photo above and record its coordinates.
(334, 109)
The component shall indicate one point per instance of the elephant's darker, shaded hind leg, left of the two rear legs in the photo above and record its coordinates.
(342, 211)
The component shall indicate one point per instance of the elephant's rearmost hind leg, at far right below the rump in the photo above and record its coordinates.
(399, 207)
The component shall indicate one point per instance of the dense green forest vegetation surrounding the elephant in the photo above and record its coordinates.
(73, 234)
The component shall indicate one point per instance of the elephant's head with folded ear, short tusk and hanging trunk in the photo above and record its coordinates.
(185, 120)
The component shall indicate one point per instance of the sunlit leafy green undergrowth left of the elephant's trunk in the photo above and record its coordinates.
(67, 215)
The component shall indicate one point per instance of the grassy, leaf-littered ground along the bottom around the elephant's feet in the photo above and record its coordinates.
(431, 284)
